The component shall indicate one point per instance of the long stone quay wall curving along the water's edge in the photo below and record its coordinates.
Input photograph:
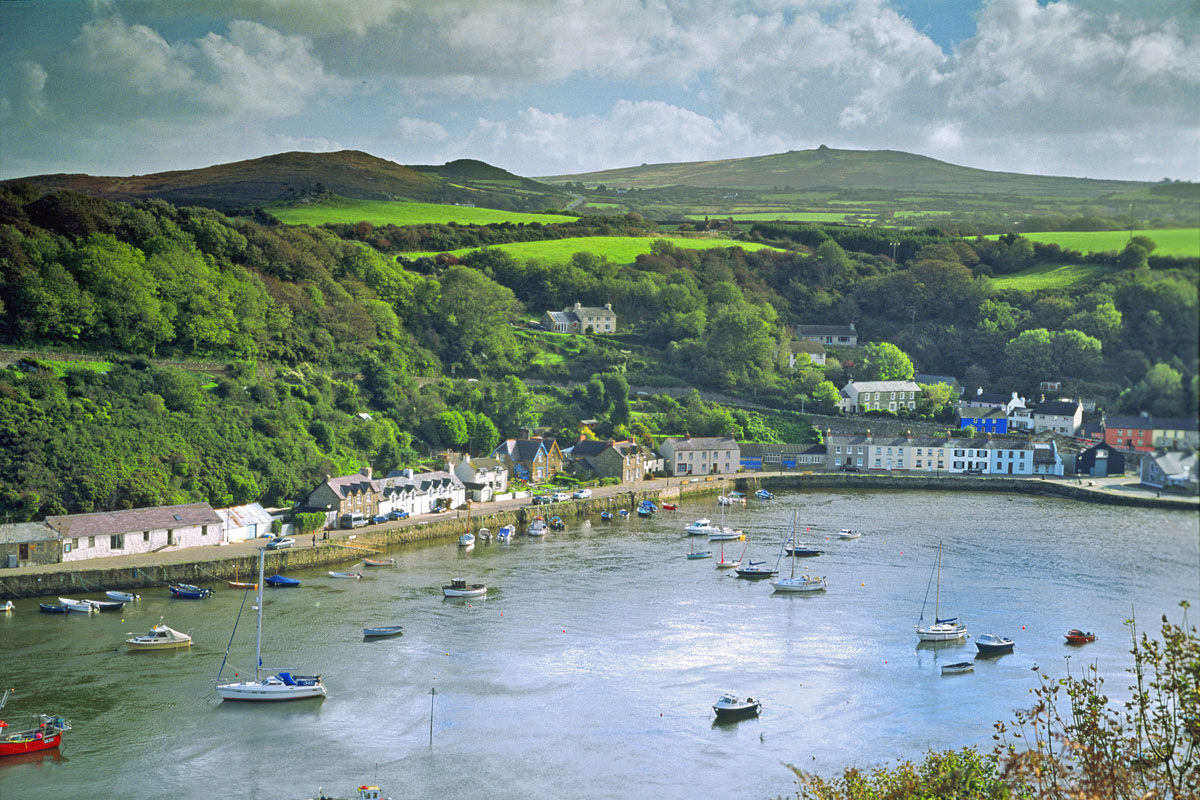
(219, 564)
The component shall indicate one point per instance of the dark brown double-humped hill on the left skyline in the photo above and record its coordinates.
(301, 177)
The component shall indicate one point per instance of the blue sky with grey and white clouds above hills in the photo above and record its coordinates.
(1085, 88)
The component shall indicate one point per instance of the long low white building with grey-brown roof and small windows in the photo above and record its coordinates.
(137, 531)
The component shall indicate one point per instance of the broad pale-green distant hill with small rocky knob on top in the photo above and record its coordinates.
(825, 167)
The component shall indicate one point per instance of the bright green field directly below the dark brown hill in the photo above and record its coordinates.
(382, 213)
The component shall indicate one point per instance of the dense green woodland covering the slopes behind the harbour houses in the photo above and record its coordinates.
(235, 358)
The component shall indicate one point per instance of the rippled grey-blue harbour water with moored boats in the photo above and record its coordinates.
(591, 667)
